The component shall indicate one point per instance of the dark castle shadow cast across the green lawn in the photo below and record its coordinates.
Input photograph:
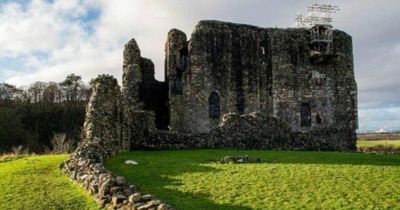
(157, 167)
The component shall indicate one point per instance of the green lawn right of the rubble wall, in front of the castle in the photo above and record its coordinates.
(291, 180)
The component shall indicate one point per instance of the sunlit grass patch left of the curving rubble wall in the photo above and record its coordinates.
(36, 182)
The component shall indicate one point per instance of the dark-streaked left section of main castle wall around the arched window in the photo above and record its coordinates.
(233, 61)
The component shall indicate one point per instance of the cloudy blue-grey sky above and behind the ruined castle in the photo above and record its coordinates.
(45, 40)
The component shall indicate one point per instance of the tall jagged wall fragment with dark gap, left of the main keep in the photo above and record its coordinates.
(141, 93)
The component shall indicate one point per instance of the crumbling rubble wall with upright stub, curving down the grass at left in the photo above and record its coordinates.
(102, 139)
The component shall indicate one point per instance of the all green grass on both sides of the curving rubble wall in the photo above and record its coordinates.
(187, 180)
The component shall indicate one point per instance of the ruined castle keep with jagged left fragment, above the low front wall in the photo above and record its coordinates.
(302, 77)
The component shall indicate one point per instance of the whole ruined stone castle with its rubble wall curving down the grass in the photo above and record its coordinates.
(228, 86)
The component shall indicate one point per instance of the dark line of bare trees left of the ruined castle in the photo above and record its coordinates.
(31, 116)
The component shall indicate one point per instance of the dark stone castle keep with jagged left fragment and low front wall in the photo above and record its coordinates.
(246, 69)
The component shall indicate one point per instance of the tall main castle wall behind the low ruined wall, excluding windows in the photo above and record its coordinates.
(265, 70)
